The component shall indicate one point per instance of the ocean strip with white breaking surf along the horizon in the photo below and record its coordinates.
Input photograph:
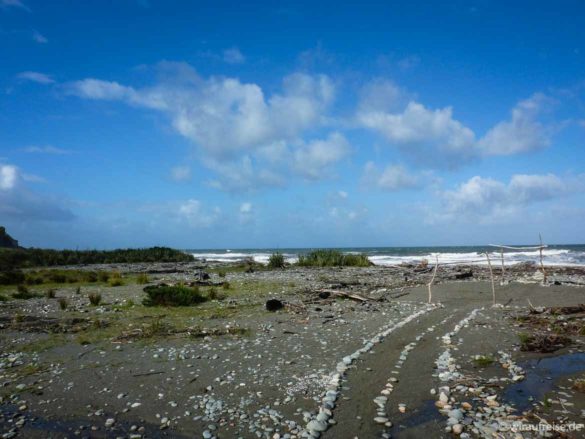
(573, 255)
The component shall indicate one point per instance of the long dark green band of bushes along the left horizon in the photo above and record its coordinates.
(11, 259)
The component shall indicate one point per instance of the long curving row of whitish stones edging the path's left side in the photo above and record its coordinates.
(320, 423)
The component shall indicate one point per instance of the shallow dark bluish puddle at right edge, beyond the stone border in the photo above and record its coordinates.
(541, 375)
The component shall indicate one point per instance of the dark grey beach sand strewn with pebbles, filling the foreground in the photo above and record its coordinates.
(113, 379)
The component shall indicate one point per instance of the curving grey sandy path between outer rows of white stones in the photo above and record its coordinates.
(414, 383)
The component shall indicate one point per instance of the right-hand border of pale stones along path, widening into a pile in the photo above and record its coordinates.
(493, 419)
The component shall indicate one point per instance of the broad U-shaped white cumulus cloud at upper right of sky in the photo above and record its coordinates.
(436, 138)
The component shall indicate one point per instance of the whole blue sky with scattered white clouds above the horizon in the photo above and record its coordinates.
(291, 124)
